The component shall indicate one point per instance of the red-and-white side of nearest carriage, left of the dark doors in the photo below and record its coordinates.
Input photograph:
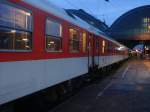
(37, 53)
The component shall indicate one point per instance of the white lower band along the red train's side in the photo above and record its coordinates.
(21, 78)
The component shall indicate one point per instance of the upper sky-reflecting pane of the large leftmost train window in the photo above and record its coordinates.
(15, 18)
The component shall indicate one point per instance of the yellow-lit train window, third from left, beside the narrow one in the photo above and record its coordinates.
(74, 43)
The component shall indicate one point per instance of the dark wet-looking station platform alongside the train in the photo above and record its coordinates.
(128, 90)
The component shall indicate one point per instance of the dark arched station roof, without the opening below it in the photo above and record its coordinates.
(133, 25)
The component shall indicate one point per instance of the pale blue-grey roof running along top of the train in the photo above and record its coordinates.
(61, 13)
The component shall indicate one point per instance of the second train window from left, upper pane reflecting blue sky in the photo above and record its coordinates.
(53, 36)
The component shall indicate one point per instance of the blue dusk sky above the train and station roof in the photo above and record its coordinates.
(106, 11)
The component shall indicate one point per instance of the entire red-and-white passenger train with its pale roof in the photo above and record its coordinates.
(41, 45)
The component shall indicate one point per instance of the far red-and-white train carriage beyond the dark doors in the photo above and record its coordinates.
(111, 52)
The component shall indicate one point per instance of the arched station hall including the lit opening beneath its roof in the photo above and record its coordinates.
(133, 30)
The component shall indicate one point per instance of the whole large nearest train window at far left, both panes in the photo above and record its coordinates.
(15, 28)
